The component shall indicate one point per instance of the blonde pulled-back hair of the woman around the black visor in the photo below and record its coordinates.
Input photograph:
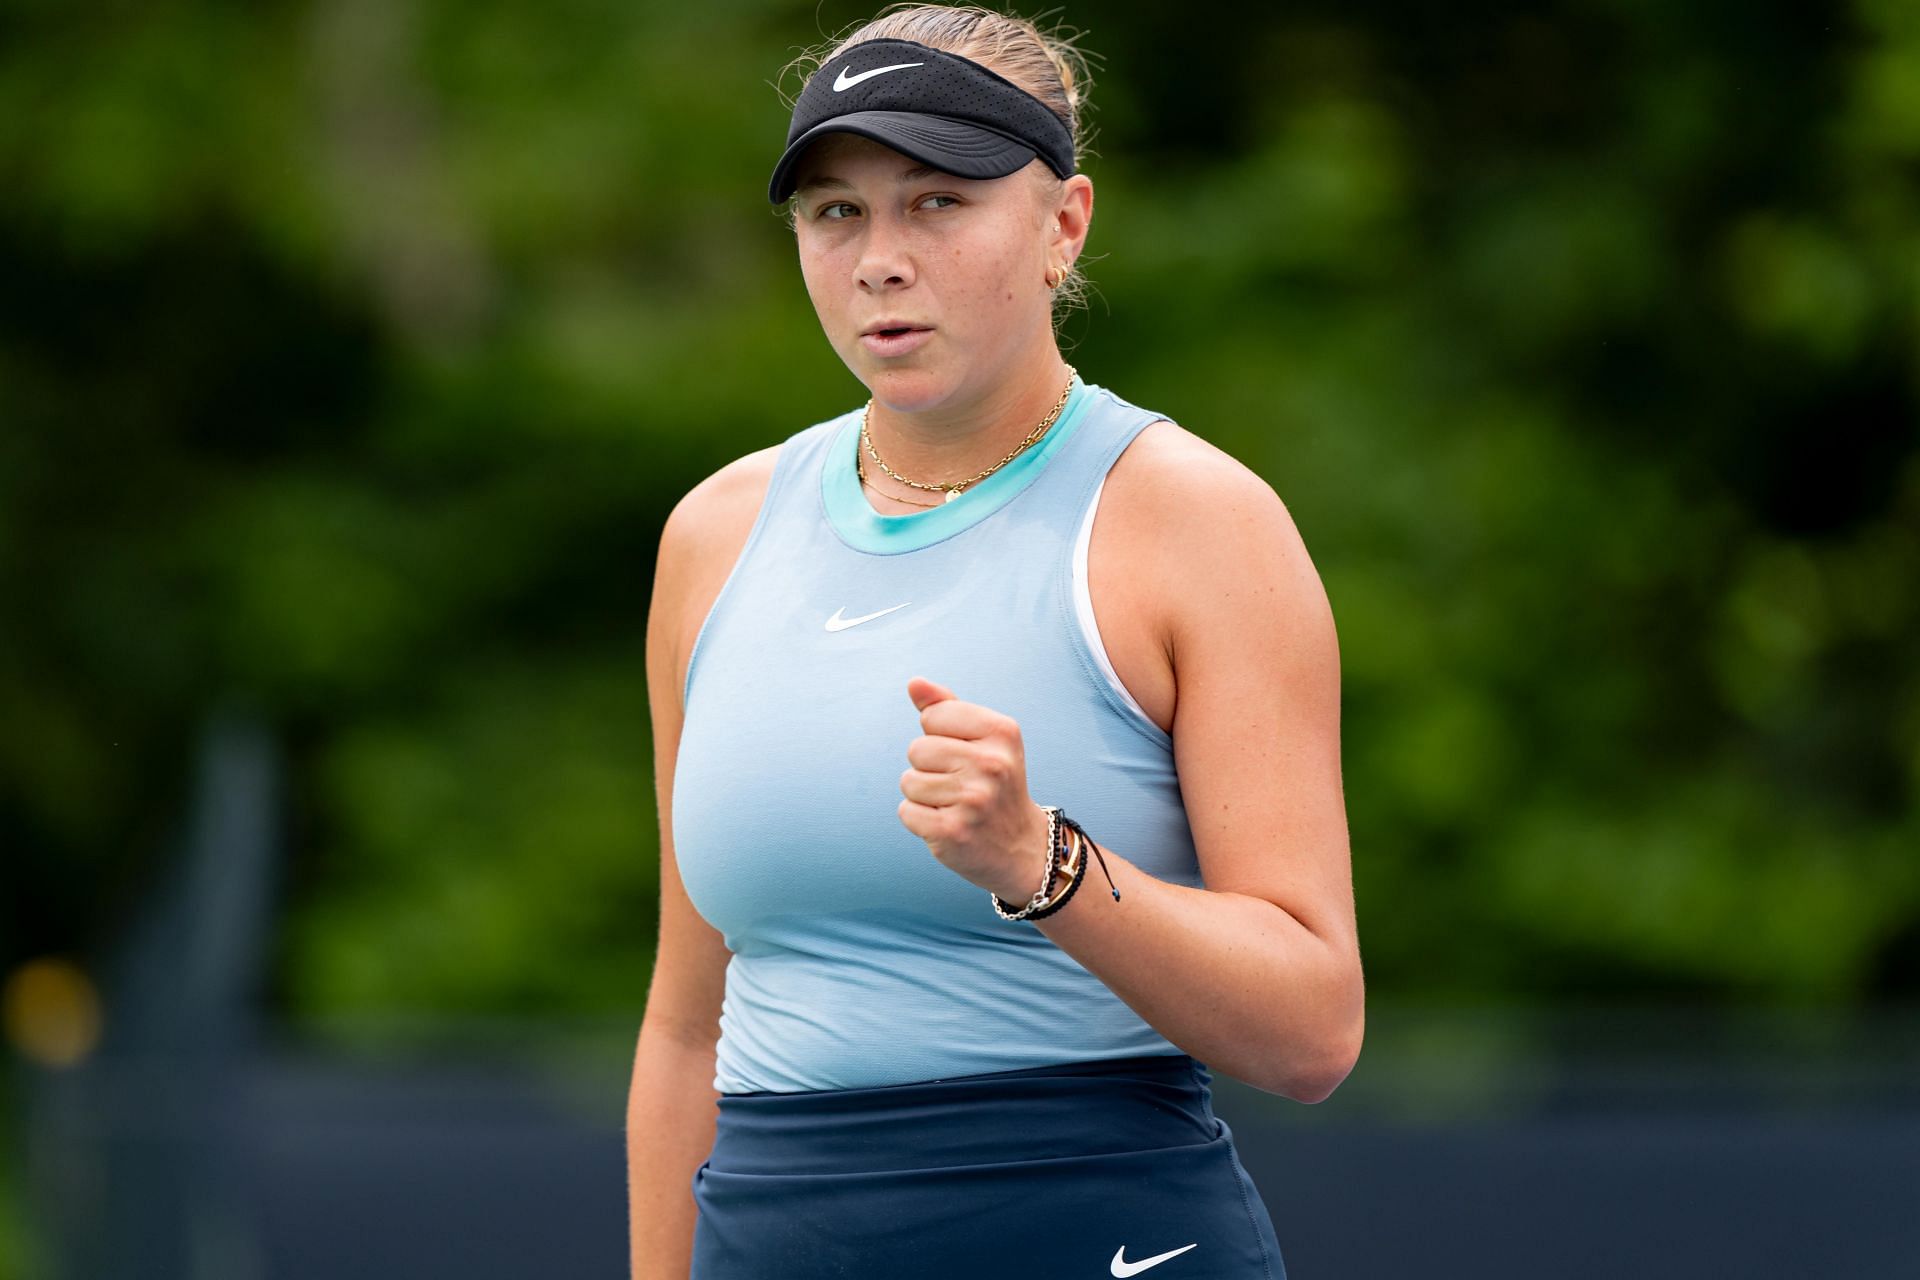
(1042, 62)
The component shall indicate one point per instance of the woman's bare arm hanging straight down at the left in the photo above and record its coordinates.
(671, 1108)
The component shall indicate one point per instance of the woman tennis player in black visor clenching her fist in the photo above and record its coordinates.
(997, 744)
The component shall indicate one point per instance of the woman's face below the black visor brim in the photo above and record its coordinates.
(886, 239)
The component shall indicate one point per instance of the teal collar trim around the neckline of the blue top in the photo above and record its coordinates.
(865, 529)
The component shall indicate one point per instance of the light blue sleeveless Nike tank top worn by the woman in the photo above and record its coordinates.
(859, 960)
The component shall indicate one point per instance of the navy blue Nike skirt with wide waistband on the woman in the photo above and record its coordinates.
(1078, 1172)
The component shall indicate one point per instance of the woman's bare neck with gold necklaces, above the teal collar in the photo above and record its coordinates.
(963, 439)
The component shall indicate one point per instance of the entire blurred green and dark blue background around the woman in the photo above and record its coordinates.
(354, 352)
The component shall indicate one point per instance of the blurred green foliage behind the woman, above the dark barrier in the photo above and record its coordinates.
(354, 352)
